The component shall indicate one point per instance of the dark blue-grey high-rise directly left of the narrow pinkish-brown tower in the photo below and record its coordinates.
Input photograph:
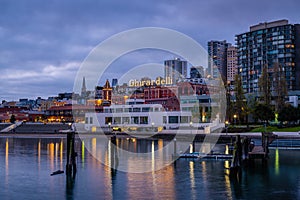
(217, 58)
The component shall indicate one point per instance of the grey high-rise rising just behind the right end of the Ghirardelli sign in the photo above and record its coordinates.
(176, 69)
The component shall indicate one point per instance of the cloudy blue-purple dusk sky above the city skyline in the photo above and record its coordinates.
(43, 43)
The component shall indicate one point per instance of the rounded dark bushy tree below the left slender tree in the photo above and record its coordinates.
(263, 112)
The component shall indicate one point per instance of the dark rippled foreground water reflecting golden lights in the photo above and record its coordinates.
(26, 165)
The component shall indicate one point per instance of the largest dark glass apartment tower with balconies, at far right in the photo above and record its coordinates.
(268, 45)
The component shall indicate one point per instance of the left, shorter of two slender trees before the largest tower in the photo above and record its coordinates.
(264, 85)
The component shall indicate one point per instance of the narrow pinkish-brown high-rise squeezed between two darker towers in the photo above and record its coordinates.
(232, 63)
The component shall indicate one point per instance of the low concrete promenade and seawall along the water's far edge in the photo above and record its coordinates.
(54, 130)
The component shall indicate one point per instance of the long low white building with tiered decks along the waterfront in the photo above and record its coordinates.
(141, 116)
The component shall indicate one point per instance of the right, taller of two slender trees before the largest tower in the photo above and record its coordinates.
(279, 86)
